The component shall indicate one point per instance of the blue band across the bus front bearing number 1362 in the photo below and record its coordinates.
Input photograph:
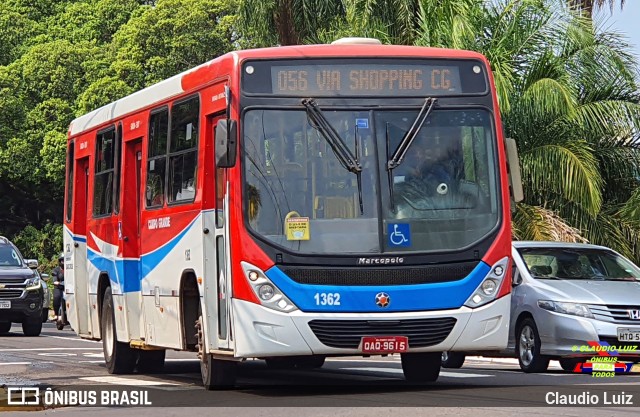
(361, 299)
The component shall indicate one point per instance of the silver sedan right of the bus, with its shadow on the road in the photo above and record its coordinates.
(567, 297)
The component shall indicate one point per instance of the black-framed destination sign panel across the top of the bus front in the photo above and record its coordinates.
(365, 77)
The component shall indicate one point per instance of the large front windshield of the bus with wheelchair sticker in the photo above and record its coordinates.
(443, 195)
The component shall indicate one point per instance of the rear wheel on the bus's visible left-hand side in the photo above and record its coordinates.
(118, 356)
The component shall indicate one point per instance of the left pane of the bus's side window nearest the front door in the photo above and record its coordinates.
(157, 158)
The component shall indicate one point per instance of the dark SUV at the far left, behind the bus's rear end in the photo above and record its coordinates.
(21, 291)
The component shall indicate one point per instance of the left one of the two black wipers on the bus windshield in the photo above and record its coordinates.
(342, 152)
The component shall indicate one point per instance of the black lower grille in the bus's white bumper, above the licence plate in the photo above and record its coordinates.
(346, 334)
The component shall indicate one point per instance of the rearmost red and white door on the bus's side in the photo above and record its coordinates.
(77, 289)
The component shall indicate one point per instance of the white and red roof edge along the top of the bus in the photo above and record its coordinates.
(184, 82)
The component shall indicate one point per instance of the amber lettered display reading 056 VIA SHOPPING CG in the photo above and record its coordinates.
(358, 80)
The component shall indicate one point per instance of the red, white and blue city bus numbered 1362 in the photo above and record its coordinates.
(290, 204)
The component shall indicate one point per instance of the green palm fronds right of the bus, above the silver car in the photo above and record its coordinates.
(568, 96)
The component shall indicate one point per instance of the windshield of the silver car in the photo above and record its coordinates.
(580, 264)
